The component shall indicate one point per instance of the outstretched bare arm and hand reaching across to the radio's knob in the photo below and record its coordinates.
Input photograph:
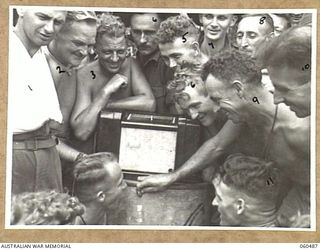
(208, 153)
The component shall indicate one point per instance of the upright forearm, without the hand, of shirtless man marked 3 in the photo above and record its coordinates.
(85, 123)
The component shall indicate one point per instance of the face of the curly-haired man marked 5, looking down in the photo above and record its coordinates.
(177, 52)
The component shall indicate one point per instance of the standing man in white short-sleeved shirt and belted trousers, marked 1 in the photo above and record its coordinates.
(33, 102)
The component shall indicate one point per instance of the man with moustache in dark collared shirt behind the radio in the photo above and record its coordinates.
(144, 27)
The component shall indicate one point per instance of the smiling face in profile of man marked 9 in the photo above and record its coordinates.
(225, 98)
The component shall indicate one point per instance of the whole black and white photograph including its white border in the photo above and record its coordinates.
(161, 119)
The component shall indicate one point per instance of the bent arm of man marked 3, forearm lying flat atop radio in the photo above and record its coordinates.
(143, 99)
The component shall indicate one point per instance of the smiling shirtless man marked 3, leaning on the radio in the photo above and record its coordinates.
(113, 81)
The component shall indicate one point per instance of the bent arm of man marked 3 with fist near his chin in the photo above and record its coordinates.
(85, 114)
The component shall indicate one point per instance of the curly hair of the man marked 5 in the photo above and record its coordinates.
(175, 27)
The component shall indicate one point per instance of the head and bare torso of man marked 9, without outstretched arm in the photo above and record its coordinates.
(233, 85)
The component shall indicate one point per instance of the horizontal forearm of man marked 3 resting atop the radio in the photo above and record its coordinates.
(140, 102)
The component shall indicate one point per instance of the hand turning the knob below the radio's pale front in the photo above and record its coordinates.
(154, 183)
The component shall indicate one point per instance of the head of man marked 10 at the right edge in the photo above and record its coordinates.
(288, 60)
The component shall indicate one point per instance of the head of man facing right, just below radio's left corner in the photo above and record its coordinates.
(98, 180)
